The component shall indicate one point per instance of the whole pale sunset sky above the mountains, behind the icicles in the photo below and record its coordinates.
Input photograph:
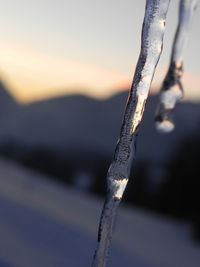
(55, 47)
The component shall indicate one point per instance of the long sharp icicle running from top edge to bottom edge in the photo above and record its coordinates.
(119, 171)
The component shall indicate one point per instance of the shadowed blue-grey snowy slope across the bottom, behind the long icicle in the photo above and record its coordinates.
(44, 224)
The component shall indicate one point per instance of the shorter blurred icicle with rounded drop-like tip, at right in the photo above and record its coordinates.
(172, 89)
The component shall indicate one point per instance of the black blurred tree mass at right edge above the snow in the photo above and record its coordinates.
(180, 195)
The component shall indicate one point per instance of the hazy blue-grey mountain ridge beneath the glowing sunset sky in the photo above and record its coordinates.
(77, 125)
